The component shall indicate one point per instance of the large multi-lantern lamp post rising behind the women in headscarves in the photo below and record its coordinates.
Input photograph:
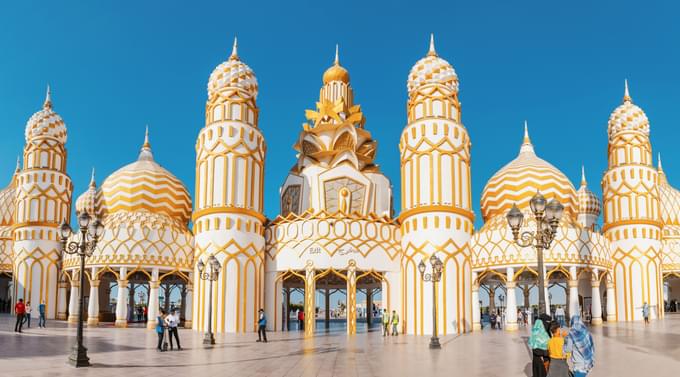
(547, 216)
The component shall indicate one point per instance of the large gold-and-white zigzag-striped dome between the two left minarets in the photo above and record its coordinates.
(145, 186)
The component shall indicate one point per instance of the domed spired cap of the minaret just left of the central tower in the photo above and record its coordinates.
(233, 73)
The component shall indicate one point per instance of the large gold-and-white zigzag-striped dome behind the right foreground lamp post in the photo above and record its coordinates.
(518, 181)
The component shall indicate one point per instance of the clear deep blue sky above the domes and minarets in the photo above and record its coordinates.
(116, 66)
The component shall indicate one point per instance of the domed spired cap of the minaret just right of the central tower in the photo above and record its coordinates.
(432, 70)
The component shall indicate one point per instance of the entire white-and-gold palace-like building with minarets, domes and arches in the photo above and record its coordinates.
(337, 228)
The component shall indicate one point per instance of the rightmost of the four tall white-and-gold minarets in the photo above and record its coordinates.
(631, 213)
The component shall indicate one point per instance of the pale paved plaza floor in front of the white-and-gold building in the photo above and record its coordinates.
(621, 350)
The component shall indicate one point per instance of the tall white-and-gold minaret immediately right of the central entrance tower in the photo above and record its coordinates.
(436, 205)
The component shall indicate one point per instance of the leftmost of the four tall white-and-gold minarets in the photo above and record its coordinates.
(43, 200)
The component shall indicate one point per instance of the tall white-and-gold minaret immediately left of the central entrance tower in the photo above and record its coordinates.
(228, 218)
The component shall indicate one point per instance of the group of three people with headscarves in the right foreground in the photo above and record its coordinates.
(560, 353)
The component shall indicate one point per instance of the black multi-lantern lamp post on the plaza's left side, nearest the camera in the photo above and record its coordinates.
(90, 232)
